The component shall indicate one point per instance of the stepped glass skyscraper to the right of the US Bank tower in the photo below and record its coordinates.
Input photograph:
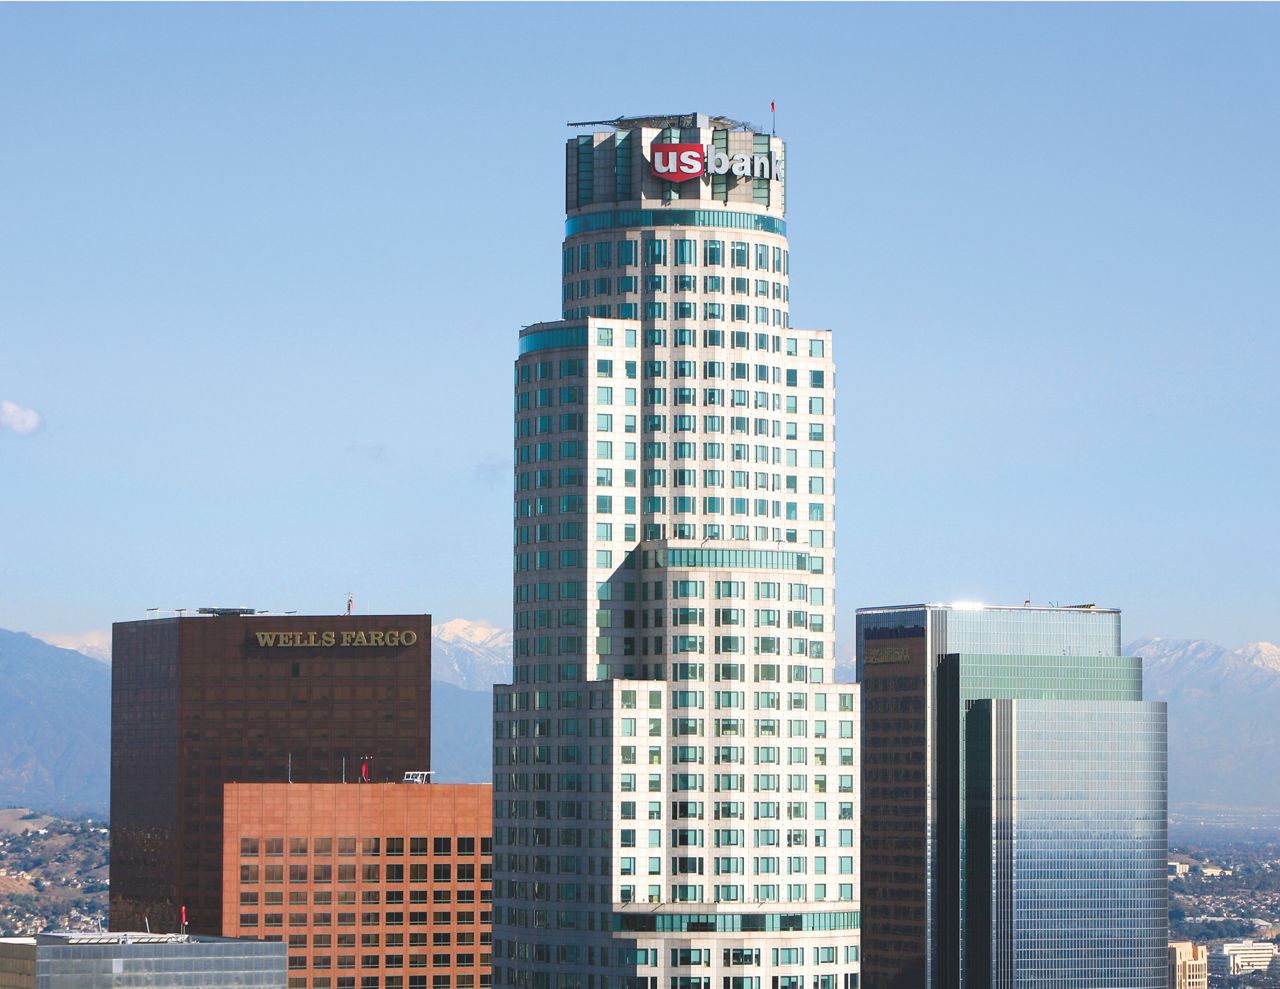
(1014, 802)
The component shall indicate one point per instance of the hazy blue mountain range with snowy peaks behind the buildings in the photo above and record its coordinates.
(1224, 740)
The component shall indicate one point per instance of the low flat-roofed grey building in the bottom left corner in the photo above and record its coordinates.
(140, 961)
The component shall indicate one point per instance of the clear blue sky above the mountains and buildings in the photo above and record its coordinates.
(255, 259)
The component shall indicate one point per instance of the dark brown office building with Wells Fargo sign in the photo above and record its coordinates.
(237, 698)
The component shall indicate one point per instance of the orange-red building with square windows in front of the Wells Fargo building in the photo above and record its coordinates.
(382, 886)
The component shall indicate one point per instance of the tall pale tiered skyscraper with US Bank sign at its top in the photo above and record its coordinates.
(675, 771)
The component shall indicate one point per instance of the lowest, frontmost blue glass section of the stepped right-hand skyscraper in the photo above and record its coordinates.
(1072, 802)
